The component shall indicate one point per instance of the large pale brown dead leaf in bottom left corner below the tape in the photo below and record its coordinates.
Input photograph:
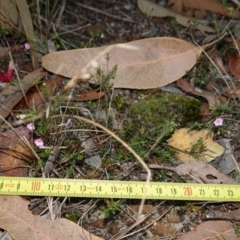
(21, 224)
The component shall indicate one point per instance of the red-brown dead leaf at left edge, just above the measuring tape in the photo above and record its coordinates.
(14, 155)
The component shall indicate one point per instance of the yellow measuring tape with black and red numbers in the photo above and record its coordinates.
(117, 189)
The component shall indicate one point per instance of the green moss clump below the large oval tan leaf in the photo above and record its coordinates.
(151, 114)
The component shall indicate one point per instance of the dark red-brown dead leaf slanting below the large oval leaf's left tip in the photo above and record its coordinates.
(36, 95)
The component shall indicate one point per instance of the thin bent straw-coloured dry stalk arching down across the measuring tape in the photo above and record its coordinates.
(125, 145)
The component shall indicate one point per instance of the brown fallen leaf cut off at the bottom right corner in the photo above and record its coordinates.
(213, 230)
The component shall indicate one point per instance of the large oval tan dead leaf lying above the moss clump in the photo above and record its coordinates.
(143, 64)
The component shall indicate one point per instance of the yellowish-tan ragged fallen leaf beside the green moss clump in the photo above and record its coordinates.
(184, 139)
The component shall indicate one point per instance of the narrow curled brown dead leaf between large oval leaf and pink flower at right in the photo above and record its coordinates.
(210, 97)
